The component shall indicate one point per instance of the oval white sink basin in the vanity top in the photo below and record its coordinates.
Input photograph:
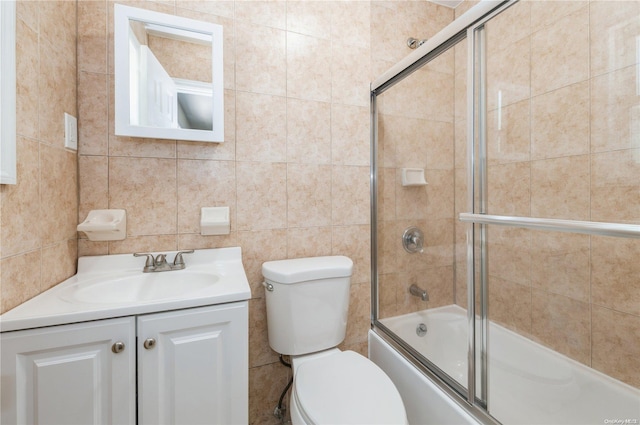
(139, 287)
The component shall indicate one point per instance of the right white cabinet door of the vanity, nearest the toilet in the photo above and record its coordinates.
(196, 372)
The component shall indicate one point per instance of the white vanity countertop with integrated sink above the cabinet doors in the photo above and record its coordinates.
(114, 286)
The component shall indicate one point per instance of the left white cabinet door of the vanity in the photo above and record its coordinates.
(69, 374)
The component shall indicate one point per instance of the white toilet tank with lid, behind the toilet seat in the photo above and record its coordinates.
(307, 303)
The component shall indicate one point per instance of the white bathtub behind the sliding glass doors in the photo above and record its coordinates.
(528, 383)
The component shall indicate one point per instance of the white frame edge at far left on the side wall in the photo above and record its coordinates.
(8, 92)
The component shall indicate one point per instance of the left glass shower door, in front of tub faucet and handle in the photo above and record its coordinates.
(418, 162)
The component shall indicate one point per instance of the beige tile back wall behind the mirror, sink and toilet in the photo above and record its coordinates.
(294, 166)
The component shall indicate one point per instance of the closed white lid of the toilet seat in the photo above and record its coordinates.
(347, 388)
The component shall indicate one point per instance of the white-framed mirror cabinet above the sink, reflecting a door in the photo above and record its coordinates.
(168, 76)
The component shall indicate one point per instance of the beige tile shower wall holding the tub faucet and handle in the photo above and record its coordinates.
(415, 130)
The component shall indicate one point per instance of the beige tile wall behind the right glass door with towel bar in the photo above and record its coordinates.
(566, 147)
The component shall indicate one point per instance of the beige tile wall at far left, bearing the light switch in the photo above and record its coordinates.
(39, 214)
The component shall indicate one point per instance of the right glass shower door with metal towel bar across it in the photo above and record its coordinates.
(557, 210)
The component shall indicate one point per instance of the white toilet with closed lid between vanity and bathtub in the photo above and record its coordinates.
(307, 308)
